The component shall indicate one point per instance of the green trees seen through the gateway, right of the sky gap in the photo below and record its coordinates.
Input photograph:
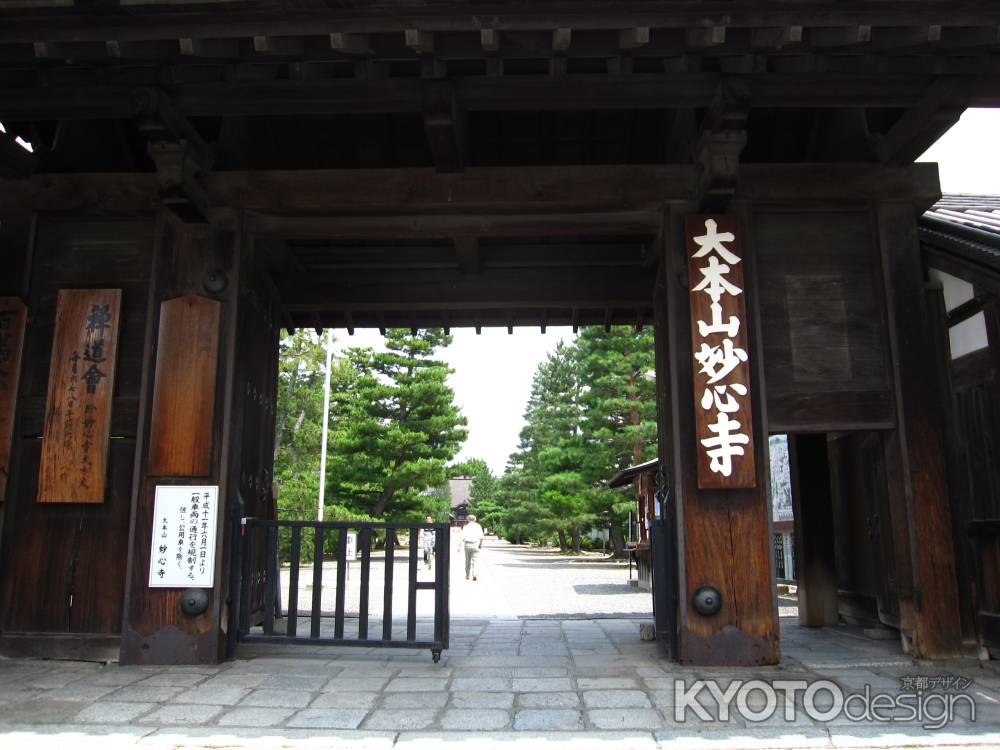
(591, 412)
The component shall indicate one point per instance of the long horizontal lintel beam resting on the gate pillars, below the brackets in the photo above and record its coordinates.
(481, 199)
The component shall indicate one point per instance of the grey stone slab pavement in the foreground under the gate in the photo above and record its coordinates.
(519, 683)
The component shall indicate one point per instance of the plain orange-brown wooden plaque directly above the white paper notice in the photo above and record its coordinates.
(187, 353)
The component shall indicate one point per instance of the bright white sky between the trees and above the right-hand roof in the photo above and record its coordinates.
(493, 371)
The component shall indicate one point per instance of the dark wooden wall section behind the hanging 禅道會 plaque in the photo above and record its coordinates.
(52, 550)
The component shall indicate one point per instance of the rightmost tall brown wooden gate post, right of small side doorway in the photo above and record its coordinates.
(917, 457)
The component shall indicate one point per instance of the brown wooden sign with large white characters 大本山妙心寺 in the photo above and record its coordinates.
(723, 425)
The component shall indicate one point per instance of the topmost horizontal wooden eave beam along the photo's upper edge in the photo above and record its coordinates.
(395, 17)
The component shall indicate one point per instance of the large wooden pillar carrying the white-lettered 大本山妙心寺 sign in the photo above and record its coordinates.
(723, 536)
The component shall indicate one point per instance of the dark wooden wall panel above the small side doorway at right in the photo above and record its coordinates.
(823, 322)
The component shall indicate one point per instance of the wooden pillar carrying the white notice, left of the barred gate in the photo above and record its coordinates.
(154, 629)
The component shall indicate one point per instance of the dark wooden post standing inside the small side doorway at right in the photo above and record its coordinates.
(815, 564)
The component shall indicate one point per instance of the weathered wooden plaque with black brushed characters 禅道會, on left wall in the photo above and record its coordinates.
(78, 407)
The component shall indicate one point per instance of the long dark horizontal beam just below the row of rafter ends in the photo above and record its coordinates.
(504, 93)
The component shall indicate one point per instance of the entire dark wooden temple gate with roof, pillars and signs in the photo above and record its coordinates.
(410, 164)
